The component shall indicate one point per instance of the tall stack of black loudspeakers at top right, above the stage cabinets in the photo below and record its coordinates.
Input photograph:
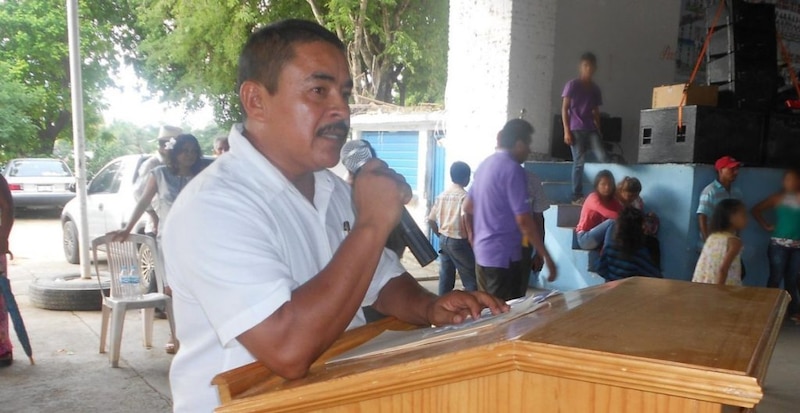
(742, 54)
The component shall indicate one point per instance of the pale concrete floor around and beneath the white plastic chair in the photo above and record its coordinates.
(71, 376)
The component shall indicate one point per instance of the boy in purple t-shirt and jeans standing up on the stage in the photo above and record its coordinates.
(580, 114)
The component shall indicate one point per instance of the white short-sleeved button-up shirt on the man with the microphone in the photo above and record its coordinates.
(238, 240)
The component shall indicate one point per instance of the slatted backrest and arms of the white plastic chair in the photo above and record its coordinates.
(127, 255)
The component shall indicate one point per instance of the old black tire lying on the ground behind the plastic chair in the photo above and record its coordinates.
(67, 293)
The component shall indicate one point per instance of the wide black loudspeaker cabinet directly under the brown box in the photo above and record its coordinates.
(708, 133)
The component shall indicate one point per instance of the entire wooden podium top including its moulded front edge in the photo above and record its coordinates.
(702, 341)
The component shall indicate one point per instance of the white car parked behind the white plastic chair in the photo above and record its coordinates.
(110, 203)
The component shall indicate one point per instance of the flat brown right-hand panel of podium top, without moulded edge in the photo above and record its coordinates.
(700, 325)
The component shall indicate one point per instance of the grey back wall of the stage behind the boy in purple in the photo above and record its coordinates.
(629, 38)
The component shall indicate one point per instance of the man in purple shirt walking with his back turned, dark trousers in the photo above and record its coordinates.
(498, 214)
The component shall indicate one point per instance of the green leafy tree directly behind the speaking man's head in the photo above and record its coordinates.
(397, 49)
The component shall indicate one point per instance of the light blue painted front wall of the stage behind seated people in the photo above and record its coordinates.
(672, 191)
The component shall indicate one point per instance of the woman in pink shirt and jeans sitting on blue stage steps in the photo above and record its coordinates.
(599, 212)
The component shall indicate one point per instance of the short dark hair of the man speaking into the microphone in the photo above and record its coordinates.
(270, 48)
